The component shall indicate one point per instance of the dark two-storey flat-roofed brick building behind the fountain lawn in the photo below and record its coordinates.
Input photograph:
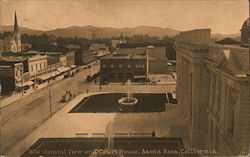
(120, 68)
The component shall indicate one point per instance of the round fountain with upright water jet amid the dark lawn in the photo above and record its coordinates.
(129, 100)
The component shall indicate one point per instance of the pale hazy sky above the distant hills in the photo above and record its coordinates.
(222, 16)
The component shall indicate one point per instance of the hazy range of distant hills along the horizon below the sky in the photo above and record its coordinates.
(87, 31)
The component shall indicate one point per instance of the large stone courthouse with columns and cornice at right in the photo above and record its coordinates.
(213, 90)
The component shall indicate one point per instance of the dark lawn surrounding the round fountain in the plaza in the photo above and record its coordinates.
(147, 102)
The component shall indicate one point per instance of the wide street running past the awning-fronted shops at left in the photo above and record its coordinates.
(20, 118)
